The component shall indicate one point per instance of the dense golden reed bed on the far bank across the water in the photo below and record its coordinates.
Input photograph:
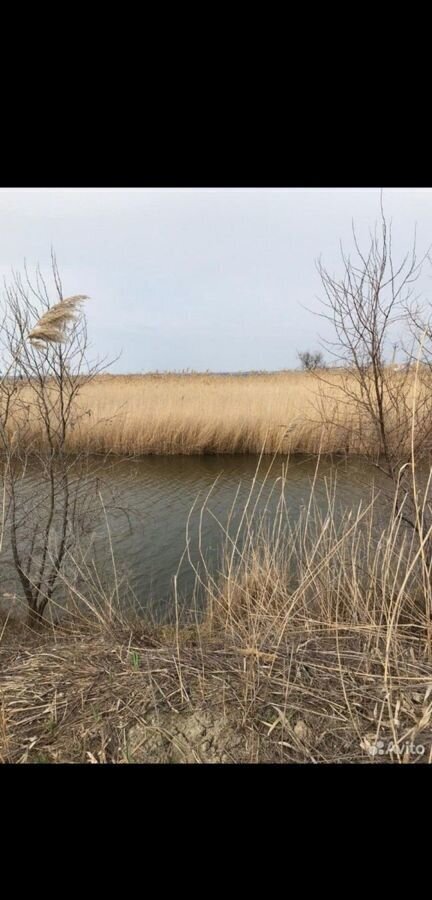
(194, 414)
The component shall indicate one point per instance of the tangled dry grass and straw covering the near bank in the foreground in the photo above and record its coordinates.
(314, 646)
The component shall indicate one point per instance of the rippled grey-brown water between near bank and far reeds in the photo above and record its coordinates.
(159, 493)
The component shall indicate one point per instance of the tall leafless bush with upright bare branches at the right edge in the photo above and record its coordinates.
(390, 408)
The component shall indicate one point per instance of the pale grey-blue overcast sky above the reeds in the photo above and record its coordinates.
(201, 279)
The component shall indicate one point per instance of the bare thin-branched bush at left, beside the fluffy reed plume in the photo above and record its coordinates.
(44, 361)
